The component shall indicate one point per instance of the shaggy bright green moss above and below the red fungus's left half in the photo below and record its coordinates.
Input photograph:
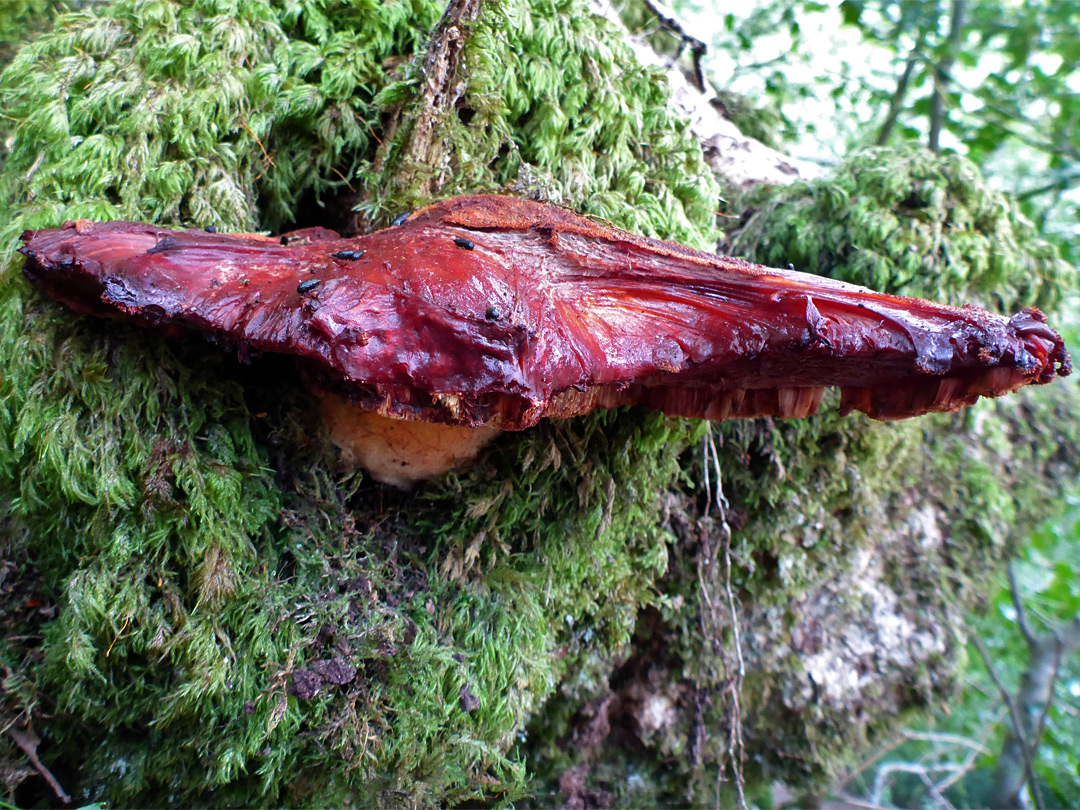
(181, 515)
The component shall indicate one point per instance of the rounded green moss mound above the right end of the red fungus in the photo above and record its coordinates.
(909, 223)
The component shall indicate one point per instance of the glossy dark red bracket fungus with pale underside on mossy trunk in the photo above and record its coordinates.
(484, 314)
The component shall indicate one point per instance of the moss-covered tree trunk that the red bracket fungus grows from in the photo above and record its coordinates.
(200, 605)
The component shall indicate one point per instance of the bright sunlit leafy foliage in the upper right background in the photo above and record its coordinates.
(1008, 86)
